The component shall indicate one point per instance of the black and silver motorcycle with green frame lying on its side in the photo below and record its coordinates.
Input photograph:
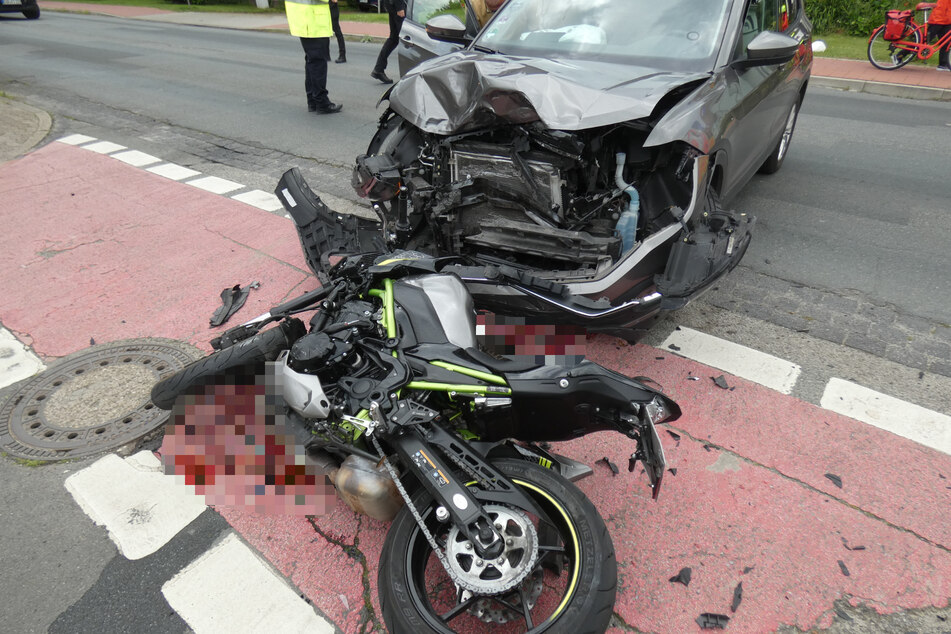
(387, 383)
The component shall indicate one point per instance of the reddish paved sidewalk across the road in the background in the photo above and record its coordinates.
(910, 82)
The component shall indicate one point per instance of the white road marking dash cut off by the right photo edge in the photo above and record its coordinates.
(902, 418)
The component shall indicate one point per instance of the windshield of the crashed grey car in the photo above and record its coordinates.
(674, 34)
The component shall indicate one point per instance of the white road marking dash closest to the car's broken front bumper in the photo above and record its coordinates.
(752, 365)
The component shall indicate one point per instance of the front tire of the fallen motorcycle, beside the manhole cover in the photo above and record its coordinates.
(262, 347)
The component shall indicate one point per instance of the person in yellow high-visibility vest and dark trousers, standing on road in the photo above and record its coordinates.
(310, 21)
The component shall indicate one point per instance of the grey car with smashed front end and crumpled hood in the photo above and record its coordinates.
(576, 156)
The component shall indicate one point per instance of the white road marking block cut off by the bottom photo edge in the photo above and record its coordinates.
(230, 589)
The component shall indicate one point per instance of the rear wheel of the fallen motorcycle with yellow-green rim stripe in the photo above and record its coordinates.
(410, 572)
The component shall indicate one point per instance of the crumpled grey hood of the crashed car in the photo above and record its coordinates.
(448, 94)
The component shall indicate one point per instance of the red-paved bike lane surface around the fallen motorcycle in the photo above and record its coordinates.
(95, 248)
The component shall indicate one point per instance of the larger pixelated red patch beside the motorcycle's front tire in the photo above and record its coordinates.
(230, 441)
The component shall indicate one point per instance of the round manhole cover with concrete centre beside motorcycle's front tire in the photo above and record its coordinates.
(92, 401)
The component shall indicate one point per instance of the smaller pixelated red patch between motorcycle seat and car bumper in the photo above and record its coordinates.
(546, 344)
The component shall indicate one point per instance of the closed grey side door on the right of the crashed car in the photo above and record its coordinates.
(760, 97)
